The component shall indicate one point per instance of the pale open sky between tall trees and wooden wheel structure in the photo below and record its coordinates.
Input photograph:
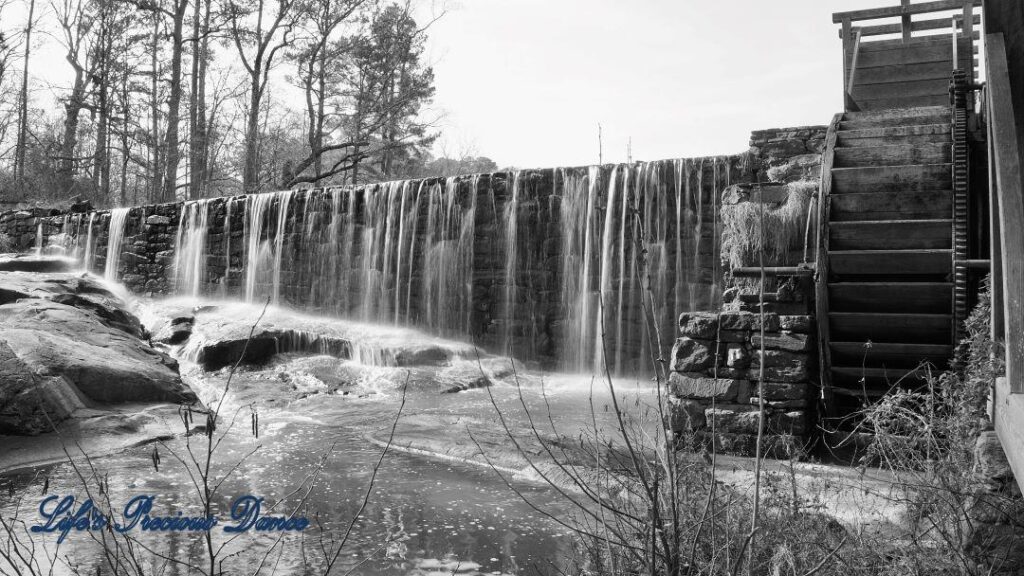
(527, 83)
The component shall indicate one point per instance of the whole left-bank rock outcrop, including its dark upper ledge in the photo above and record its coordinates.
(70, 348)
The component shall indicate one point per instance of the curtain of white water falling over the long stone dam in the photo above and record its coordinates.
(567, 267)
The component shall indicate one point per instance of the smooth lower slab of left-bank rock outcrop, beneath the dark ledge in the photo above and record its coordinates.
(56, 359)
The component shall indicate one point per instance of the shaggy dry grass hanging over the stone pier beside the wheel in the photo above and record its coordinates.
(785, 227)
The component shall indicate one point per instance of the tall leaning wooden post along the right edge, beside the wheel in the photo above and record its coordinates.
(1010, 196)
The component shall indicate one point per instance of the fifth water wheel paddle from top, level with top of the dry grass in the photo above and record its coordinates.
(926, 204)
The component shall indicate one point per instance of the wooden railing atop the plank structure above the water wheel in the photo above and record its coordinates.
(858, 37)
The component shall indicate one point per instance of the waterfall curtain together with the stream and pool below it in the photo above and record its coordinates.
(564, 269)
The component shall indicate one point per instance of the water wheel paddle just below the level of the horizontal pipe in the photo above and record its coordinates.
(909, 298)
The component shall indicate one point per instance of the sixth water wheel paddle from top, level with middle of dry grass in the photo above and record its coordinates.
(895, 235)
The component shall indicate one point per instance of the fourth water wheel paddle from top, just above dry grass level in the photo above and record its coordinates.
(892, 179)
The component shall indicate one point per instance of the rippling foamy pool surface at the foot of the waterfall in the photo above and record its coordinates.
(423, 517)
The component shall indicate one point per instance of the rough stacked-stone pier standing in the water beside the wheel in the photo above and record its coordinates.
(717, 382)
